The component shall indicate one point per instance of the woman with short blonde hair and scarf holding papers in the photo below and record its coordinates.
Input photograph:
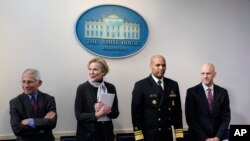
(93, 116)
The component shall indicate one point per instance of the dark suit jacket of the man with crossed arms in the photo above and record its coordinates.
(20, 108)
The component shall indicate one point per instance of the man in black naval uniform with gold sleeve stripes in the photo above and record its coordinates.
(156, 107)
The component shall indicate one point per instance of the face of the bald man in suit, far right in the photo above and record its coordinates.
(207, 74)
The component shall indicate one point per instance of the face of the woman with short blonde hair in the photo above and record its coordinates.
(95, 71)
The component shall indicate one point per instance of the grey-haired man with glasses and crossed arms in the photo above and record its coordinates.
(33, 113)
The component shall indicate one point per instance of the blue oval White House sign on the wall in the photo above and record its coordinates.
(112, 31)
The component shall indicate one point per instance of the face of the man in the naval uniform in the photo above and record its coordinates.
(158, 66)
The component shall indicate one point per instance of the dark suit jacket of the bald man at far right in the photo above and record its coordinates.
(202, 122)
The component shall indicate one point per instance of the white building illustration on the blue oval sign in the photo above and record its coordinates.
(112, 27)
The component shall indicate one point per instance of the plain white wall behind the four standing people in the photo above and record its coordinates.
(41, 34)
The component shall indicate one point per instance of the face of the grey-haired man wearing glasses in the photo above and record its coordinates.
(30, 84)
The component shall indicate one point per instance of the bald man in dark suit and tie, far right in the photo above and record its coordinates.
(207, 108)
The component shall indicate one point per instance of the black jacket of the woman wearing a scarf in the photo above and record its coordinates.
(87, 125)
